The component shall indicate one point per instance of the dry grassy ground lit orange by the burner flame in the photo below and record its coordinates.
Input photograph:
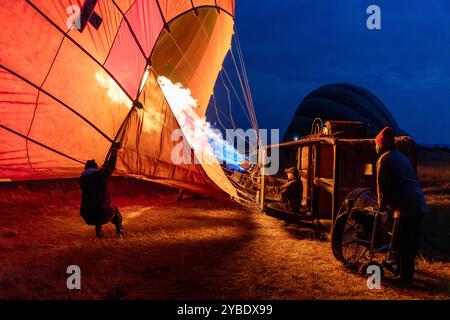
(194, 249)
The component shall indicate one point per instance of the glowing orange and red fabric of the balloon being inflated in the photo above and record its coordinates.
(71, 71)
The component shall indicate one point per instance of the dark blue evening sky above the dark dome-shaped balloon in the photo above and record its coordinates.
(294, 46)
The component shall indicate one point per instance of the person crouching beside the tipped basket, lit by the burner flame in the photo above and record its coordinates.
(292, 191)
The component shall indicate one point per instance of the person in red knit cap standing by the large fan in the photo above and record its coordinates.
(399, 191)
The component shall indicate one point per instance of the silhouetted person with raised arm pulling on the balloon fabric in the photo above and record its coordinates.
(96, 208)
